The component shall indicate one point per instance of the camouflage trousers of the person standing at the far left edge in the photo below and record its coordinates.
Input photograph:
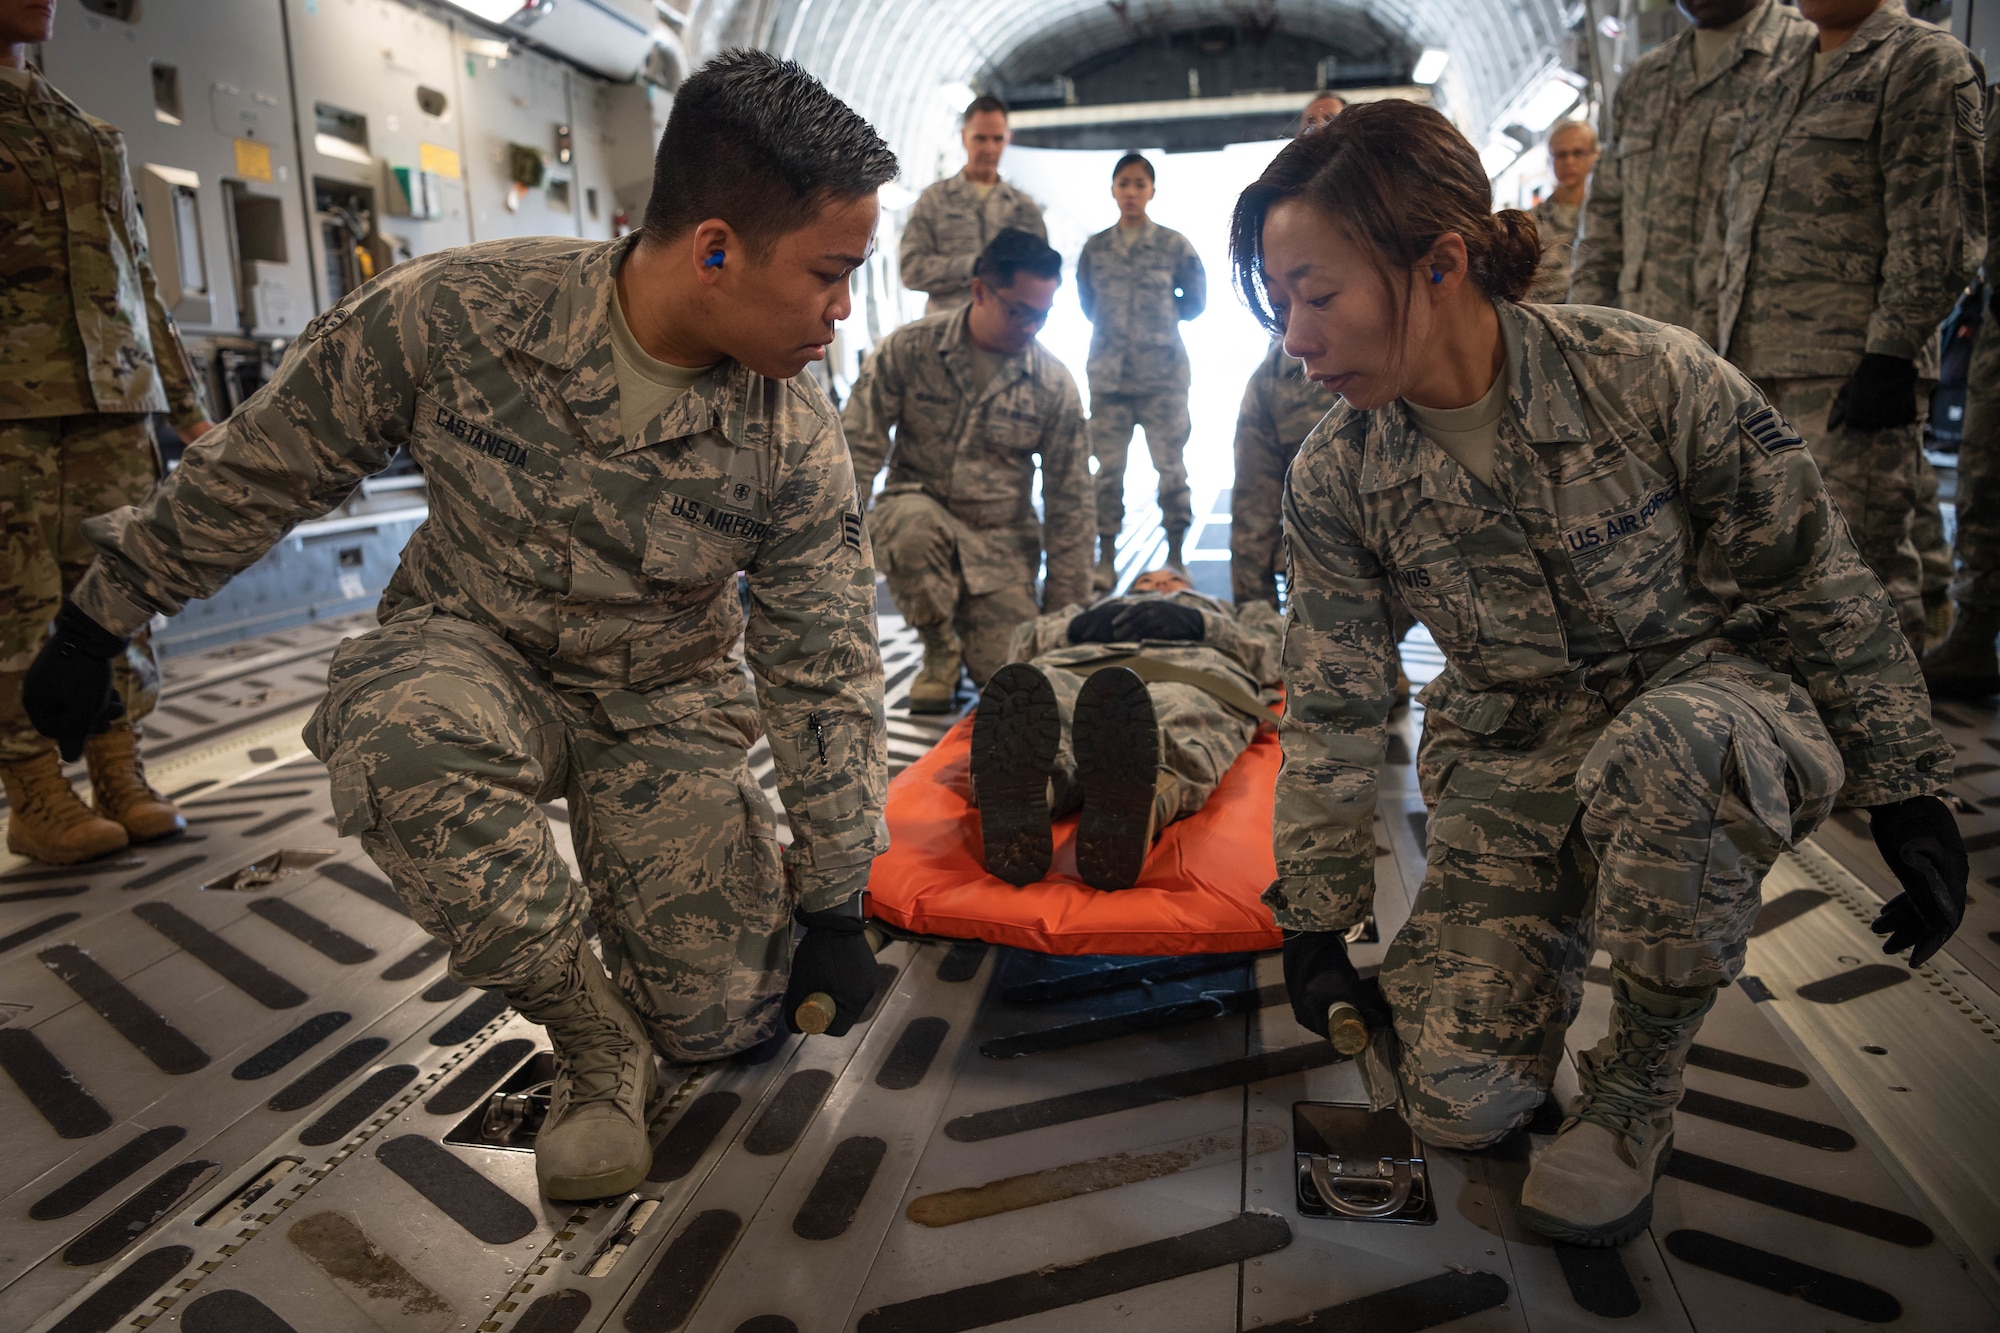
(55, 473)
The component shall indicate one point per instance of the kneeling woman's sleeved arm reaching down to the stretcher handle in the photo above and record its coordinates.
(1341, 682)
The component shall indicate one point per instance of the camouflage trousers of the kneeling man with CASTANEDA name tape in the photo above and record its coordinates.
(443, 742)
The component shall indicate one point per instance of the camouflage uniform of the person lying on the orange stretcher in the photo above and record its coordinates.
(1201, 736)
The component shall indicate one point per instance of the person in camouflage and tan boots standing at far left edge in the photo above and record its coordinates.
(87, 355)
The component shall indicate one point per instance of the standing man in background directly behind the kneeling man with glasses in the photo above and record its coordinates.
(957, 217)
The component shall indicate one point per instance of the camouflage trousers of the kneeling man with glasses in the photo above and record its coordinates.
(939, 575)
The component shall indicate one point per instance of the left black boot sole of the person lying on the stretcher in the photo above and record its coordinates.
(1015, 740)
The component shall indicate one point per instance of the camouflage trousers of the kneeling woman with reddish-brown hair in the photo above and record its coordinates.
(1647, 836)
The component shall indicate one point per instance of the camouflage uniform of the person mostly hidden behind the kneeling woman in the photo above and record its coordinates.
(1281, 407)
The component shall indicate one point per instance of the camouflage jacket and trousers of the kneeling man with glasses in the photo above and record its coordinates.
(955, 523)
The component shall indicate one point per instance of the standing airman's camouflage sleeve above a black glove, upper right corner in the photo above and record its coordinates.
(1933, 193)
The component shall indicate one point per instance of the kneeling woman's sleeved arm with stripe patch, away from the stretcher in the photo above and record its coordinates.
(1753, 485)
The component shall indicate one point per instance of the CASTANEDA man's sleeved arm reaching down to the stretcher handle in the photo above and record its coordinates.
(813, 649)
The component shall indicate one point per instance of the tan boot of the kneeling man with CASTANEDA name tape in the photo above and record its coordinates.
(593, 1144)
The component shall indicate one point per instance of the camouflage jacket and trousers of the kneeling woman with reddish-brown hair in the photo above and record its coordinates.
(1611, 756)
